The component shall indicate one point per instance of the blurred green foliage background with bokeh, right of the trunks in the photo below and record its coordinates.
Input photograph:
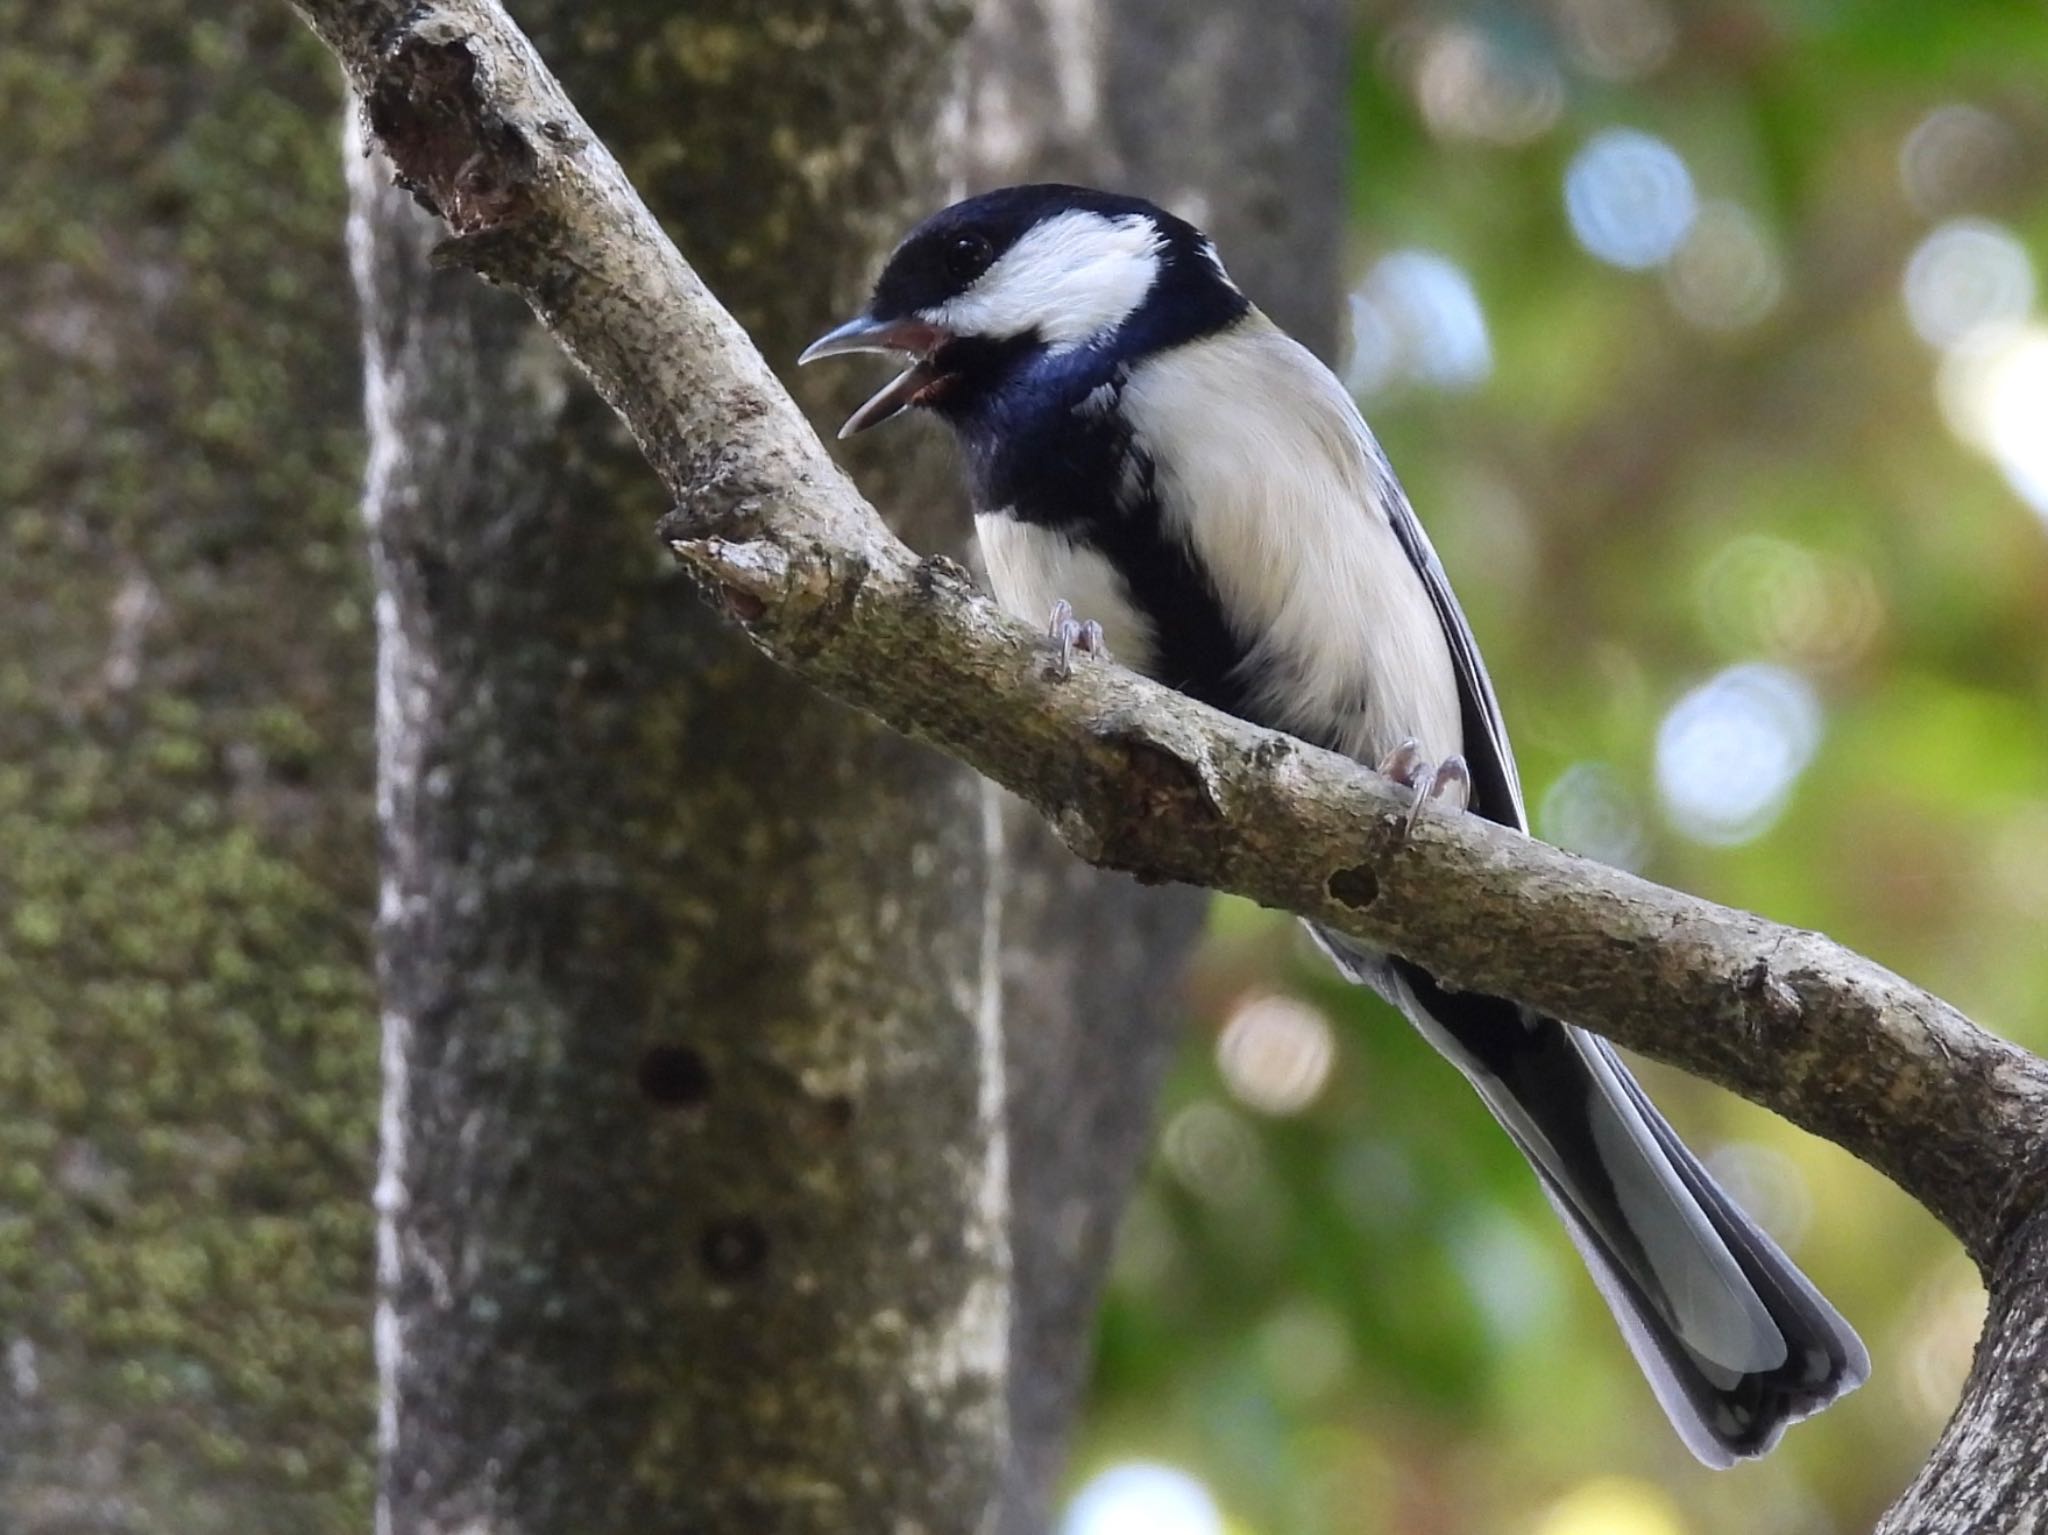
(1709, 345)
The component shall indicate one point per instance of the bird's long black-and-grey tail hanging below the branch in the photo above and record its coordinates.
(1734, 1340)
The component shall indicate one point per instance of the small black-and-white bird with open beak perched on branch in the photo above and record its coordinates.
(1150, 451)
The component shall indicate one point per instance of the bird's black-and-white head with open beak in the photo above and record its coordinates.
(988, 286)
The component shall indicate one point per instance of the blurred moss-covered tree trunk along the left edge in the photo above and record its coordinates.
(187, 1028)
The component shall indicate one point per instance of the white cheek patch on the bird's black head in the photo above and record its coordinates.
(1072, 279)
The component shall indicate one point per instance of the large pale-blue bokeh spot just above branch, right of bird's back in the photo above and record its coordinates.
(1732, 750)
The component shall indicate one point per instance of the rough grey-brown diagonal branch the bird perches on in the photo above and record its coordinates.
(1140, 779)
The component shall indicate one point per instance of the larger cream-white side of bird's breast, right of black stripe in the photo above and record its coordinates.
(1267, 470)
